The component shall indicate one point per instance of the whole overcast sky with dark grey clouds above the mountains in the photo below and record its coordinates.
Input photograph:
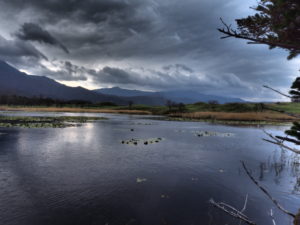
(141, 44)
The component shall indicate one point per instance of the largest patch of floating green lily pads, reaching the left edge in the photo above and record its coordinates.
(45, 122)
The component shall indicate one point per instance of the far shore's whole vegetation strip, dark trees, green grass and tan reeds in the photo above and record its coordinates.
(244, 113)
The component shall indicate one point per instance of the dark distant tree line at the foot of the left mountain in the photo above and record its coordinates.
(45, 101)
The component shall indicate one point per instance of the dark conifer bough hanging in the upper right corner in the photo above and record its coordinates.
(275, 23)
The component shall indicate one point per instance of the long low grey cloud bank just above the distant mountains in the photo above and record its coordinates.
(175, 77)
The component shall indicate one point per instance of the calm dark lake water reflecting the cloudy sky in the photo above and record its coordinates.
(85, 176)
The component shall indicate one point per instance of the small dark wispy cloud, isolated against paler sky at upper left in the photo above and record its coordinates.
(33, 32)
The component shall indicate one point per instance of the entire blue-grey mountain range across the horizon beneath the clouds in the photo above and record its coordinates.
(14, 82)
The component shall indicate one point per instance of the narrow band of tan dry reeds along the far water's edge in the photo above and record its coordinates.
(226, 118)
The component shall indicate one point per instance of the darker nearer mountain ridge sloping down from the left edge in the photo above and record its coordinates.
(14, 82)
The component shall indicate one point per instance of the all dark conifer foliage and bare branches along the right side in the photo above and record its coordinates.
(276, 24)
